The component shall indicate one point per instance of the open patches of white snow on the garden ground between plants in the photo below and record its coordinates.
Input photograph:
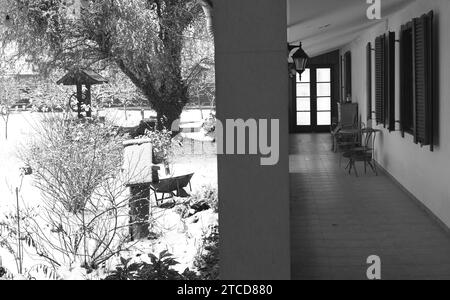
(181, 237)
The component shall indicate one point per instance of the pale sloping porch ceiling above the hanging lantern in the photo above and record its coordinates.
(325, 25)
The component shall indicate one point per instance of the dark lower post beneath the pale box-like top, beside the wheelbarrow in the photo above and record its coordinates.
(139, 211)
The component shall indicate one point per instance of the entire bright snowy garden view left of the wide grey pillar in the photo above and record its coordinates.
(108, 156)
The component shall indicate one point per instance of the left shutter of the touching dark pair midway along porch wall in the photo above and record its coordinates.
(380, 90)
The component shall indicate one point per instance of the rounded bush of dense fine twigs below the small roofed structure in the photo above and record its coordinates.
(71, 158)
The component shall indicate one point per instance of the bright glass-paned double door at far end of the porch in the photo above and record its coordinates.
(313, 100)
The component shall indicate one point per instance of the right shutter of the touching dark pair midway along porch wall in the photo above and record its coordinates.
(390, 81)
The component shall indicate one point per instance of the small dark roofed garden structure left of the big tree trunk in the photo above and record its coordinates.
(78, 78)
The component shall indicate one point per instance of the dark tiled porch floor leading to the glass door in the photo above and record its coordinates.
(338, 221)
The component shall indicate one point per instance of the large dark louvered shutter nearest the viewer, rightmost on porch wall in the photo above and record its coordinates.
(423, 59)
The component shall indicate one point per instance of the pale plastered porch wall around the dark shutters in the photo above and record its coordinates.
(425, 174)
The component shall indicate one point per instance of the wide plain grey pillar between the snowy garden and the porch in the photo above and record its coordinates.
(252, 82)
